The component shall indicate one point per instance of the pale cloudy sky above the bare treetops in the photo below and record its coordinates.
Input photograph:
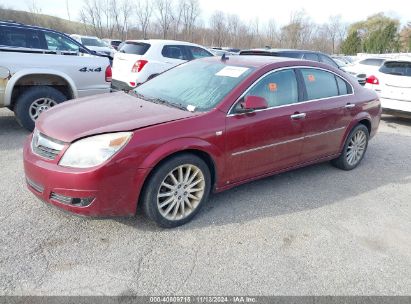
(280, 11)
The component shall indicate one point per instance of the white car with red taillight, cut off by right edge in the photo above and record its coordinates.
(392, 82)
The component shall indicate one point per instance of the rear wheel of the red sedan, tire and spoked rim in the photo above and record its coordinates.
(354, 149)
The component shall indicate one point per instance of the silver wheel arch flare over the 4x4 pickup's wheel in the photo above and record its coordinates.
(33, 77)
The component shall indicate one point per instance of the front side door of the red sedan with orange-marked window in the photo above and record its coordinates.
(266, 140)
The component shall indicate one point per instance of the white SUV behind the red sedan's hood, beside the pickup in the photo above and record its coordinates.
(140, 60)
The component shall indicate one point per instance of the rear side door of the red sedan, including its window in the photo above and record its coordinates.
(328, 112)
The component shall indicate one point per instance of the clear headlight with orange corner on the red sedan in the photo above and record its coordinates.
(93, 151)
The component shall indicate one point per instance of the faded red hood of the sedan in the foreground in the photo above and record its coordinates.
(102, 114)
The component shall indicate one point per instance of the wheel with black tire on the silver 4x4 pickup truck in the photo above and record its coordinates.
(33, 101)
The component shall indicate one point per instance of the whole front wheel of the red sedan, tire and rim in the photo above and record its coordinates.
(174, 205)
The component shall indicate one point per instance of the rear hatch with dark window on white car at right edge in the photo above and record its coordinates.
(396, 80)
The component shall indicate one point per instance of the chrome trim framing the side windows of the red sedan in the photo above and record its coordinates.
(230, 114)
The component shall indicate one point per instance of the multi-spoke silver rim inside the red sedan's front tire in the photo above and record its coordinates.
(181, 192)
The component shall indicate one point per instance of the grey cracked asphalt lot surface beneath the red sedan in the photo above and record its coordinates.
(312, 231)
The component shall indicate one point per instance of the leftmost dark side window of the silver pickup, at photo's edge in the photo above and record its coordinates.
(17, 37)
